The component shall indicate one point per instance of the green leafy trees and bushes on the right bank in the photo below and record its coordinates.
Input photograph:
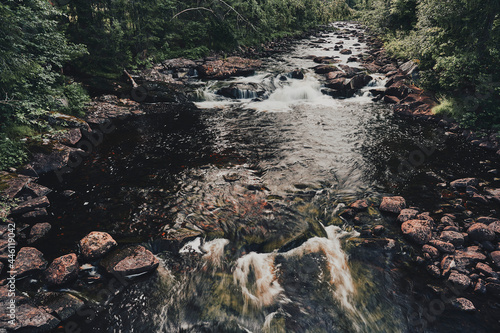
(457, 43)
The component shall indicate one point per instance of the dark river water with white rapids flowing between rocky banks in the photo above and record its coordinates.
(254, 185)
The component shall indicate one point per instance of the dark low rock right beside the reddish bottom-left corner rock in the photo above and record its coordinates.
(64, 305)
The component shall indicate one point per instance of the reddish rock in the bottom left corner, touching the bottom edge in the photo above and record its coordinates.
(33, 319)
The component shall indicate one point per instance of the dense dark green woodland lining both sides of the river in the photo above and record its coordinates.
(47, 47)
